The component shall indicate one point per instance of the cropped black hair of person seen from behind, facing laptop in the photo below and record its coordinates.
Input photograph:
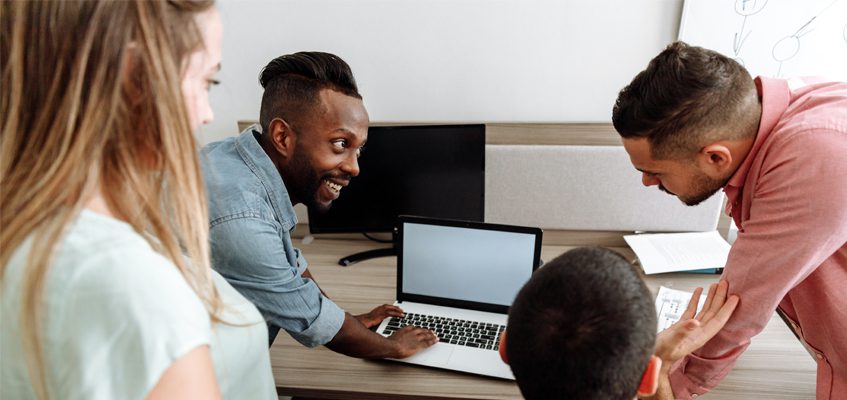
(583, 327)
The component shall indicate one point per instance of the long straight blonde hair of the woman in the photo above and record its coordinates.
(91, 101)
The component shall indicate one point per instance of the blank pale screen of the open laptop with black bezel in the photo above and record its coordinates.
(473, 265)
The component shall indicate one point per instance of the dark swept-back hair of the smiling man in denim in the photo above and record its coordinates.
(293, 83)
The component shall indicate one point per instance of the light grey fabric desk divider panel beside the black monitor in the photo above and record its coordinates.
(583, 188)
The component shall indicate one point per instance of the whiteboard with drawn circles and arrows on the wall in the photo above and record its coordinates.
(777, 38)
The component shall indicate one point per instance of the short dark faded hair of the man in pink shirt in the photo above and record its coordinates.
(687, 98)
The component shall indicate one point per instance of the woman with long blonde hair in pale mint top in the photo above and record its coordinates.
(107, 291)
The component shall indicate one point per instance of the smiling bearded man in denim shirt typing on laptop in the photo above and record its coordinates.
(313, 126)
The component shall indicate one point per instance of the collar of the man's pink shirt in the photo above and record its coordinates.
(775, 96)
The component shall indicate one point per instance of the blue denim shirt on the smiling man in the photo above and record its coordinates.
(251, 218)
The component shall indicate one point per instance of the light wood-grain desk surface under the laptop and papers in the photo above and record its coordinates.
(775, 366)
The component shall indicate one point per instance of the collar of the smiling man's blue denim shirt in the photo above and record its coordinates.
(258, 161)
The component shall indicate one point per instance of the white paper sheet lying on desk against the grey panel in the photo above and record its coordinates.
(669, 252)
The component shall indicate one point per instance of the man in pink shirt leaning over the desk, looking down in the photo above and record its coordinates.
(694, 122)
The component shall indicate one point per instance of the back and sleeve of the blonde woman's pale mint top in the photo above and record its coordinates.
(111, 300)
